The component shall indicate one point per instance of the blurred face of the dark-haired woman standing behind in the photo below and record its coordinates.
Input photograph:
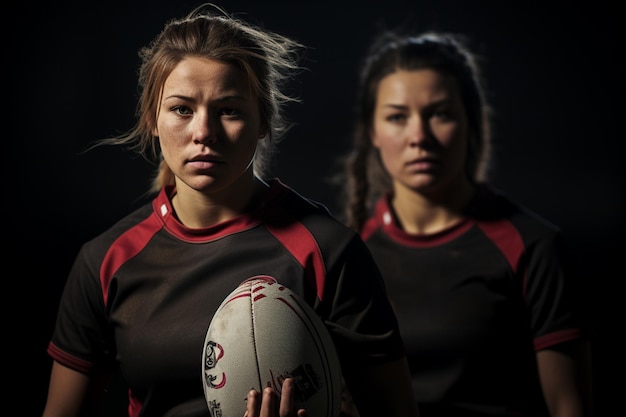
(420, 128)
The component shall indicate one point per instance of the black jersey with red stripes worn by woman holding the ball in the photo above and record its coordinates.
(141, 295)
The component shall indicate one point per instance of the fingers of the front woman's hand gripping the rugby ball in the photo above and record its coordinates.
(264, 404)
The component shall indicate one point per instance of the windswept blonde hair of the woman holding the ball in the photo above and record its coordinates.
(268, 59)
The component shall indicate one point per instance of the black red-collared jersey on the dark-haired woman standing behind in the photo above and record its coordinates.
(474, 303)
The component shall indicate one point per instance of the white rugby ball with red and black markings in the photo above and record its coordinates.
(261, 334)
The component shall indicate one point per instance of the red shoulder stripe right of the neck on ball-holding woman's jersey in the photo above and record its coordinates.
(300, 242)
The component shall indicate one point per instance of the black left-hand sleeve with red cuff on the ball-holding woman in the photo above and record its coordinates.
(81, 339)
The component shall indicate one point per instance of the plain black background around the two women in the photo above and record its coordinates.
(555, 80)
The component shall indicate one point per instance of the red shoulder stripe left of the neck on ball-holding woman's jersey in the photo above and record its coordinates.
(125, 247)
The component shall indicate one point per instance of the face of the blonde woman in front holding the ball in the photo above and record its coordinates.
(208, 124)
